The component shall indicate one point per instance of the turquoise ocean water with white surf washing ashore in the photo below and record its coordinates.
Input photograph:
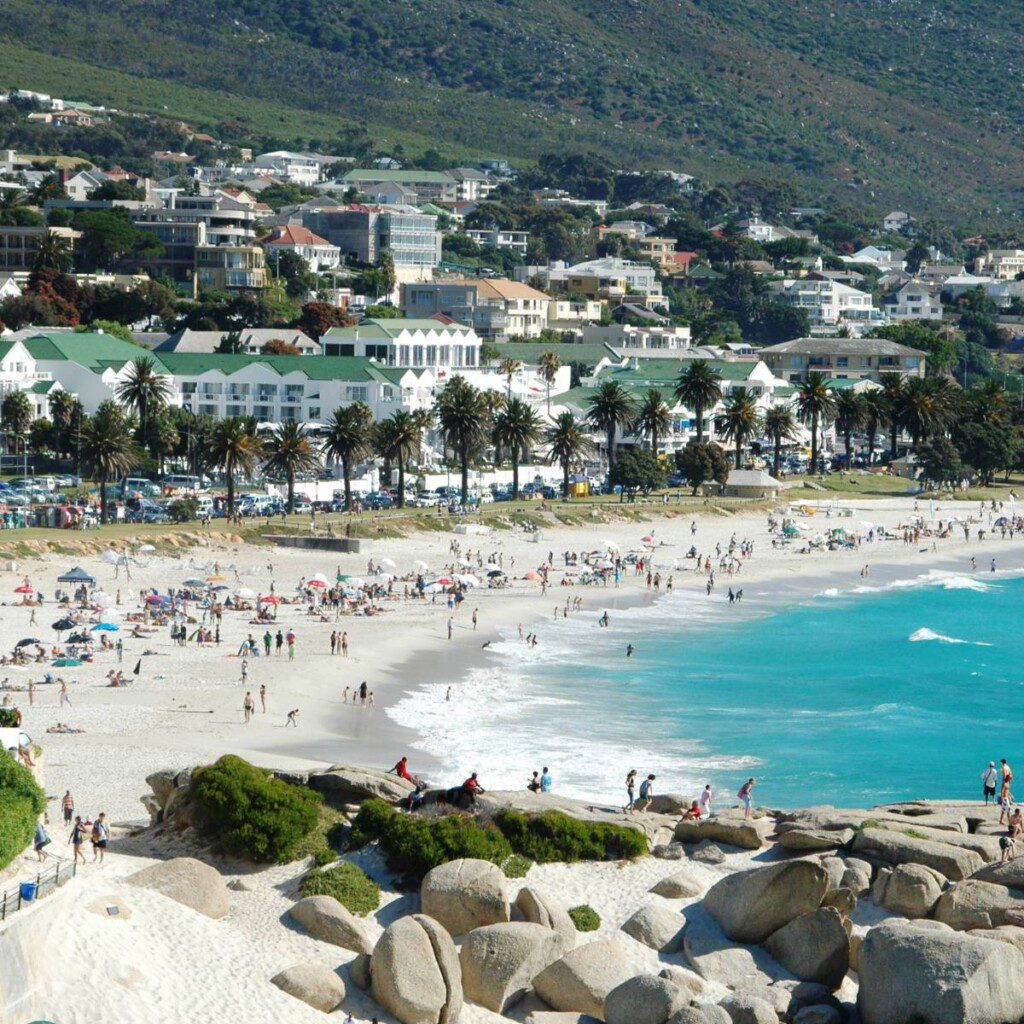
(850, 698)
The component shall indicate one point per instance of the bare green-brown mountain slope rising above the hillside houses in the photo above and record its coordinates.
(851, 102)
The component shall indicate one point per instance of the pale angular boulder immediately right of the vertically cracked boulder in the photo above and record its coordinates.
(500, 962)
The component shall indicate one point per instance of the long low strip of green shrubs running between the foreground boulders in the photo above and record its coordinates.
(414, 845)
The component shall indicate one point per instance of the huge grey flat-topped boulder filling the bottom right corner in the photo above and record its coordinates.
(926, 972)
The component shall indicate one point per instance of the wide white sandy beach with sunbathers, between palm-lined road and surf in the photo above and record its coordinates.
(186, 707)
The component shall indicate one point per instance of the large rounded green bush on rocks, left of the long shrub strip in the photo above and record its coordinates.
(251, 814)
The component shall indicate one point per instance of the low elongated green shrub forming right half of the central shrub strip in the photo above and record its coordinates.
(557, 838)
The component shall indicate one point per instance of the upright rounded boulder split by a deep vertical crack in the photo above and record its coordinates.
(415, 973)
